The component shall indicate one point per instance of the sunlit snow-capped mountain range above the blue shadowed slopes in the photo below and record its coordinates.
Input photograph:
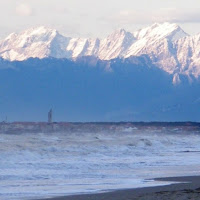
(166, 44)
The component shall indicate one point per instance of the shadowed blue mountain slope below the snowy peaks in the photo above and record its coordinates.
(89, 89)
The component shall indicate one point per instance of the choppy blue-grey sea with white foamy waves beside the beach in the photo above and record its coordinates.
(47, 165)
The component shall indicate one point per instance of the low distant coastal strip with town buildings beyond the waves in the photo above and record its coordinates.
(94, 127)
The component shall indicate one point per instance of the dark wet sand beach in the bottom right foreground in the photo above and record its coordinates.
(190, 189)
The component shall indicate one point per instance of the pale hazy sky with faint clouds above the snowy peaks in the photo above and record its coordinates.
(96, 18)
